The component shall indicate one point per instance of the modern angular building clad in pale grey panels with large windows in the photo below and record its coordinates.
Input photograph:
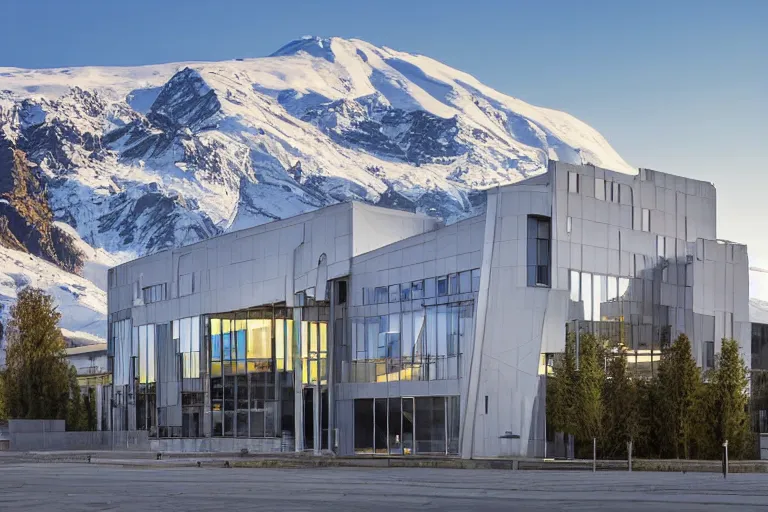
(364, 330)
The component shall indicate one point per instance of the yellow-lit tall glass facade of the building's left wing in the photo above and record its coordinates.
(235, 371)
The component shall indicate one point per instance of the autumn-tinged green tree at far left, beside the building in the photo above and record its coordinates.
(37, 382)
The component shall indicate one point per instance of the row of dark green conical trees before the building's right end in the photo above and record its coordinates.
(678, 413)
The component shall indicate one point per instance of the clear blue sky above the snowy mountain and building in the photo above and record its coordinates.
(679, 86)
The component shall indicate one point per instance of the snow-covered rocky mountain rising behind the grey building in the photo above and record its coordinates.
(134, 160)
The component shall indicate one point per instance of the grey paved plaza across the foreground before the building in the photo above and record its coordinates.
(83, 487)
